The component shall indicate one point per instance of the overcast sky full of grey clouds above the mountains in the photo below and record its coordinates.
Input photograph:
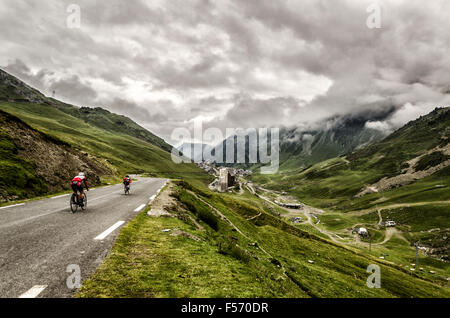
(248, 63)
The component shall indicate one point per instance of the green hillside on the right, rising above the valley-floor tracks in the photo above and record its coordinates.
(333, 184)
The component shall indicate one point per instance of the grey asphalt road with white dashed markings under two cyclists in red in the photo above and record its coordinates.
(39, 240)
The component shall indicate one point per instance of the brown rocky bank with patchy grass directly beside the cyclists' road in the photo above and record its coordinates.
(33, 163)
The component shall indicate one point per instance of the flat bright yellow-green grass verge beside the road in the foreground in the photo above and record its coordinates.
(146, 262)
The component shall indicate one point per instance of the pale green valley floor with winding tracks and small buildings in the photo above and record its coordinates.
(389, 243)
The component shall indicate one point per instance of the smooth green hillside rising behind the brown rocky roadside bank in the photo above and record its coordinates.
(126, 153)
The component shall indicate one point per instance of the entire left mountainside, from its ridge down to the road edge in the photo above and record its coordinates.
(43, 139)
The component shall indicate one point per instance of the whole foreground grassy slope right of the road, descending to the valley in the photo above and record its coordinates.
(146, 262)
